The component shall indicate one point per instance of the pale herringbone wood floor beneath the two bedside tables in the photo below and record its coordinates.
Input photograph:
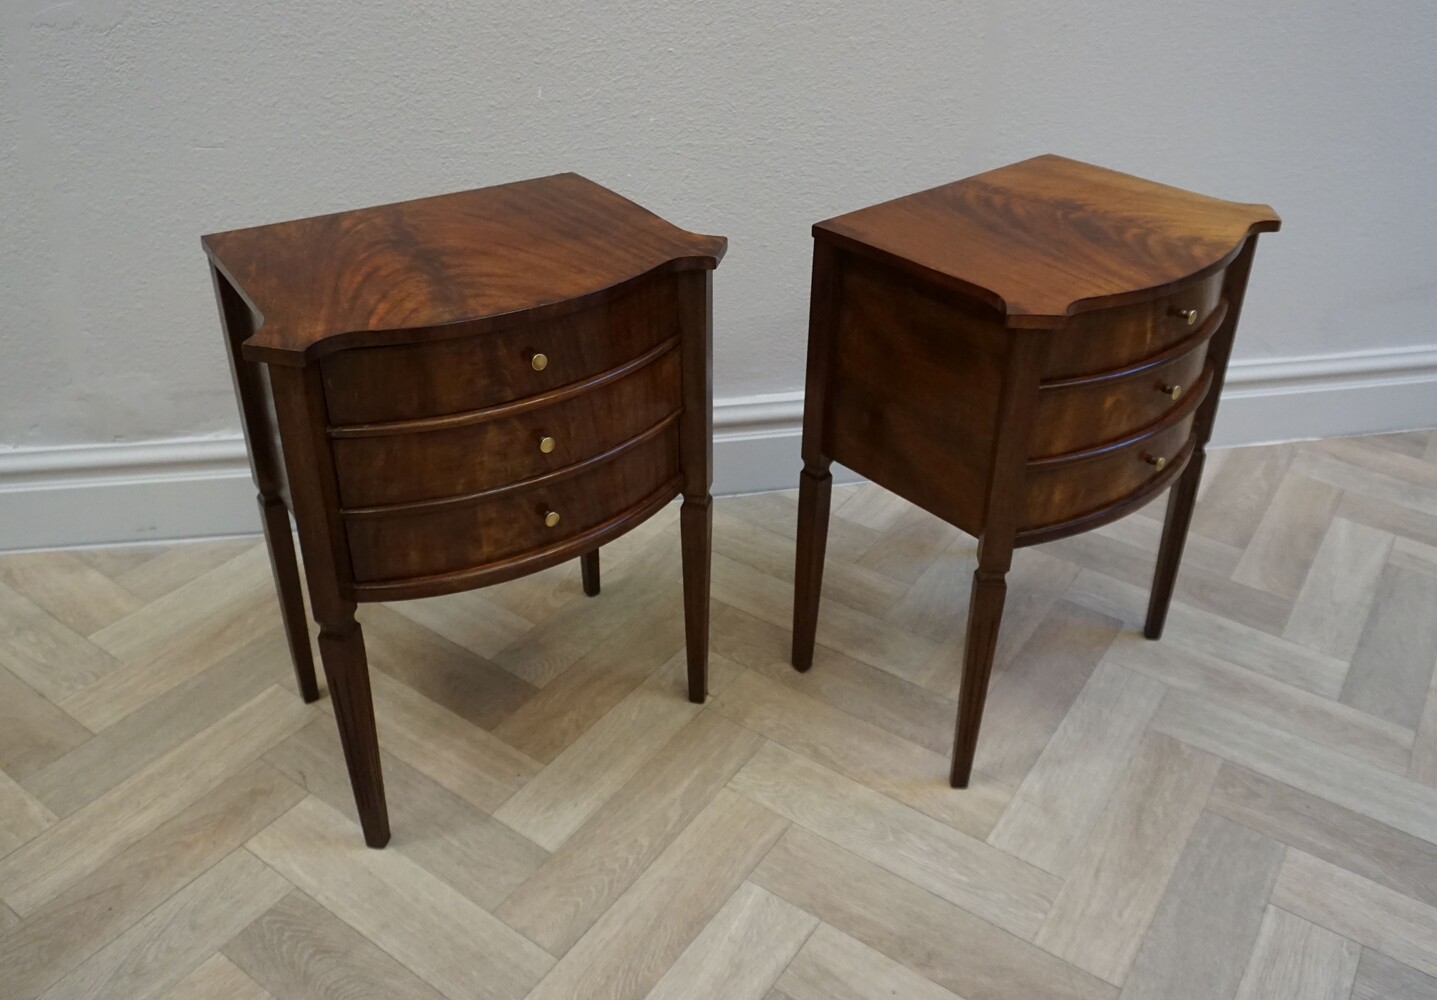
(1245, 810)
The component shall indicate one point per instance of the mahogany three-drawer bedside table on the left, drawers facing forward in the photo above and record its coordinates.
(462, 390)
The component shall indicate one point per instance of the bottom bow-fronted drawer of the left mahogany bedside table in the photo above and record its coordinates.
(456, 538)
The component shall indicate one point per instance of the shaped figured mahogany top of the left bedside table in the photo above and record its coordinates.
(374, 277)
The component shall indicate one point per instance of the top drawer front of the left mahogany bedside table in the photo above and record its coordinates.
(469, 373)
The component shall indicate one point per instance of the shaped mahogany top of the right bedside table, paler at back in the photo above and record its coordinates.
(1050, 238)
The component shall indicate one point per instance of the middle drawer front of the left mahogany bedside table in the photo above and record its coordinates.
(504, 449)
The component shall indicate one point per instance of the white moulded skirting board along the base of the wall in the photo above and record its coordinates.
(117, 494)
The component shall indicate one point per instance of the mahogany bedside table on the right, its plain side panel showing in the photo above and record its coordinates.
(1028, 354)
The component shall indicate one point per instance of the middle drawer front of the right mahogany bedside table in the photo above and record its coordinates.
(1084, 415)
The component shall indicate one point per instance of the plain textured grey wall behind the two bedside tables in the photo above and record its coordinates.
(130, 127)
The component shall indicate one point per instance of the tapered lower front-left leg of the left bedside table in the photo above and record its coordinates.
(347, 669)
